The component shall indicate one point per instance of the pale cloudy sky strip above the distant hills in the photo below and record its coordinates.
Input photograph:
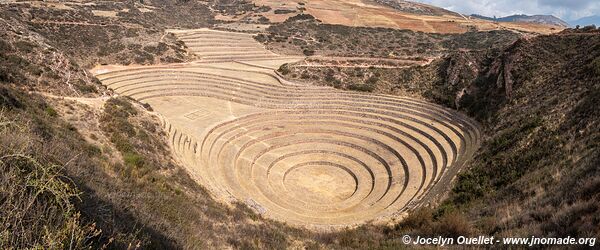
(567, 10)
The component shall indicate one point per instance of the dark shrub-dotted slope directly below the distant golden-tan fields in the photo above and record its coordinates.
(303, 34)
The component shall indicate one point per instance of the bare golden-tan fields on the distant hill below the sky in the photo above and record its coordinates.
(381, 13)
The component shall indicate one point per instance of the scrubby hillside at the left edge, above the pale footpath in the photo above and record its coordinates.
(29, 61)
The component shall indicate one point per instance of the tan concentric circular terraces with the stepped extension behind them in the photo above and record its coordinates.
(302, 154)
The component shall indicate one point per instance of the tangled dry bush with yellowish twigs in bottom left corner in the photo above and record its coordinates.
(36, 200)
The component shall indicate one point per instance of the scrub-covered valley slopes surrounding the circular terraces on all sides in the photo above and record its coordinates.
(85, 168)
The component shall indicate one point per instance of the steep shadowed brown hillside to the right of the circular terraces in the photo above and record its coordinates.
(536, 173)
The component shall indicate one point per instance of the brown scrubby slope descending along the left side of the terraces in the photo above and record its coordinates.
(121, 187)
